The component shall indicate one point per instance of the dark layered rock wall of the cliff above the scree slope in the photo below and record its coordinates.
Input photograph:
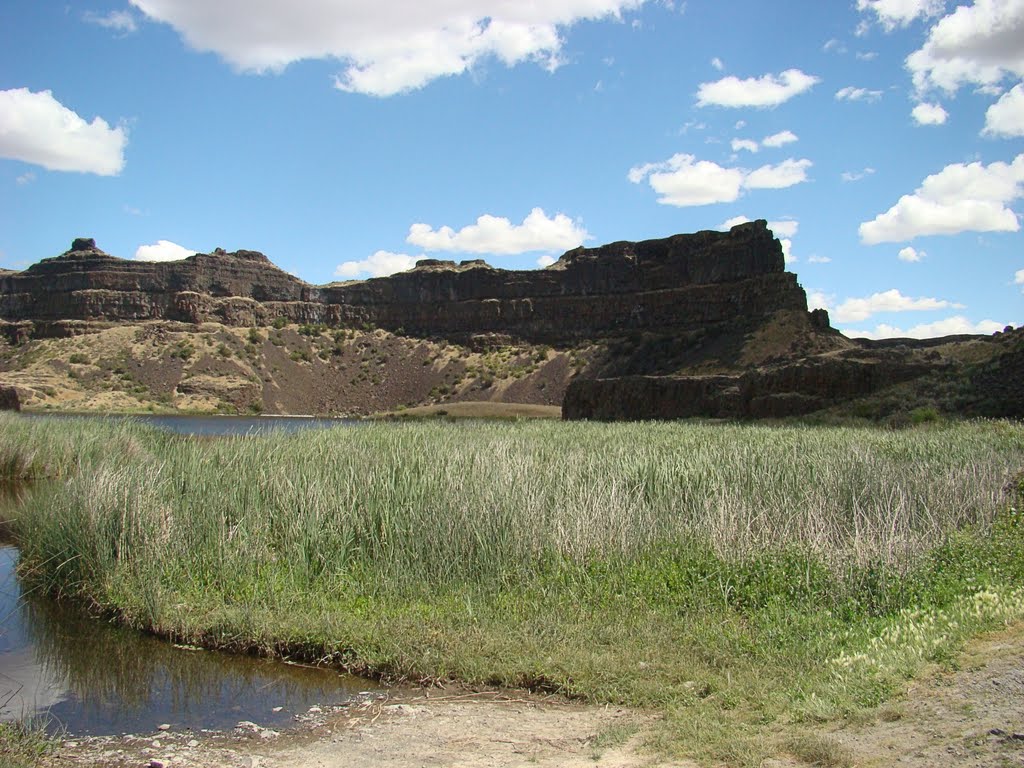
(679, 283)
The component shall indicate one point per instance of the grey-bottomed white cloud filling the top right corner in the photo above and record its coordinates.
(979, 45)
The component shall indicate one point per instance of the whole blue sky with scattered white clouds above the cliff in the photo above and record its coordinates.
(884, 140)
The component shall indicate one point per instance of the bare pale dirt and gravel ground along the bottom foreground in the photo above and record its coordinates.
(971, 717)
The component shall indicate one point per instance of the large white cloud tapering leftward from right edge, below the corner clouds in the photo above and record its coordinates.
(960, 198)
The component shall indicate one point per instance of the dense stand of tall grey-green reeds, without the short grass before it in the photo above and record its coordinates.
(439, 504)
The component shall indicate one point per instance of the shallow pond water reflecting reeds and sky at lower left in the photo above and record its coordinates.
(92, 677)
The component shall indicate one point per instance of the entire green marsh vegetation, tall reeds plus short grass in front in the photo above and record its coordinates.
(747, 581)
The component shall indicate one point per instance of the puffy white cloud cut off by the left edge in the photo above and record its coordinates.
(36, 129)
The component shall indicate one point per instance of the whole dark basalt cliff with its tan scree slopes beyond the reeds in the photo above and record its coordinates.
(708, 324)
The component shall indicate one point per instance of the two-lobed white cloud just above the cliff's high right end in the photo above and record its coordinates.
(684, 181)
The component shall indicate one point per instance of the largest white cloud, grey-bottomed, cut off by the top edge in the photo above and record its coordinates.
(387, 48)
